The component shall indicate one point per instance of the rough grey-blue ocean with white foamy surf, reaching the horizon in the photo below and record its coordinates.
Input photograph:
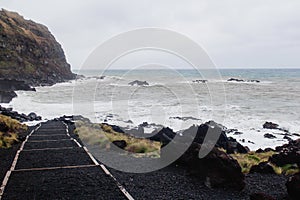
(174, 99)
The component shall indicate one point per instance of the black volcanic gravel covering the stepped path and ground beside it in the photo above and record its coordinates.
(91, 182)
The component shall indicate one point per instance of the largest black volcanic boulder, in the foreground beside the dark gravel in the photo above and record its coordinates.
(218, 169)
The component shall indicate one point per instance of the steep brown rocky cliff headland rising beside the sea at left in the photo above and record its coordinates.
(30, 53)
